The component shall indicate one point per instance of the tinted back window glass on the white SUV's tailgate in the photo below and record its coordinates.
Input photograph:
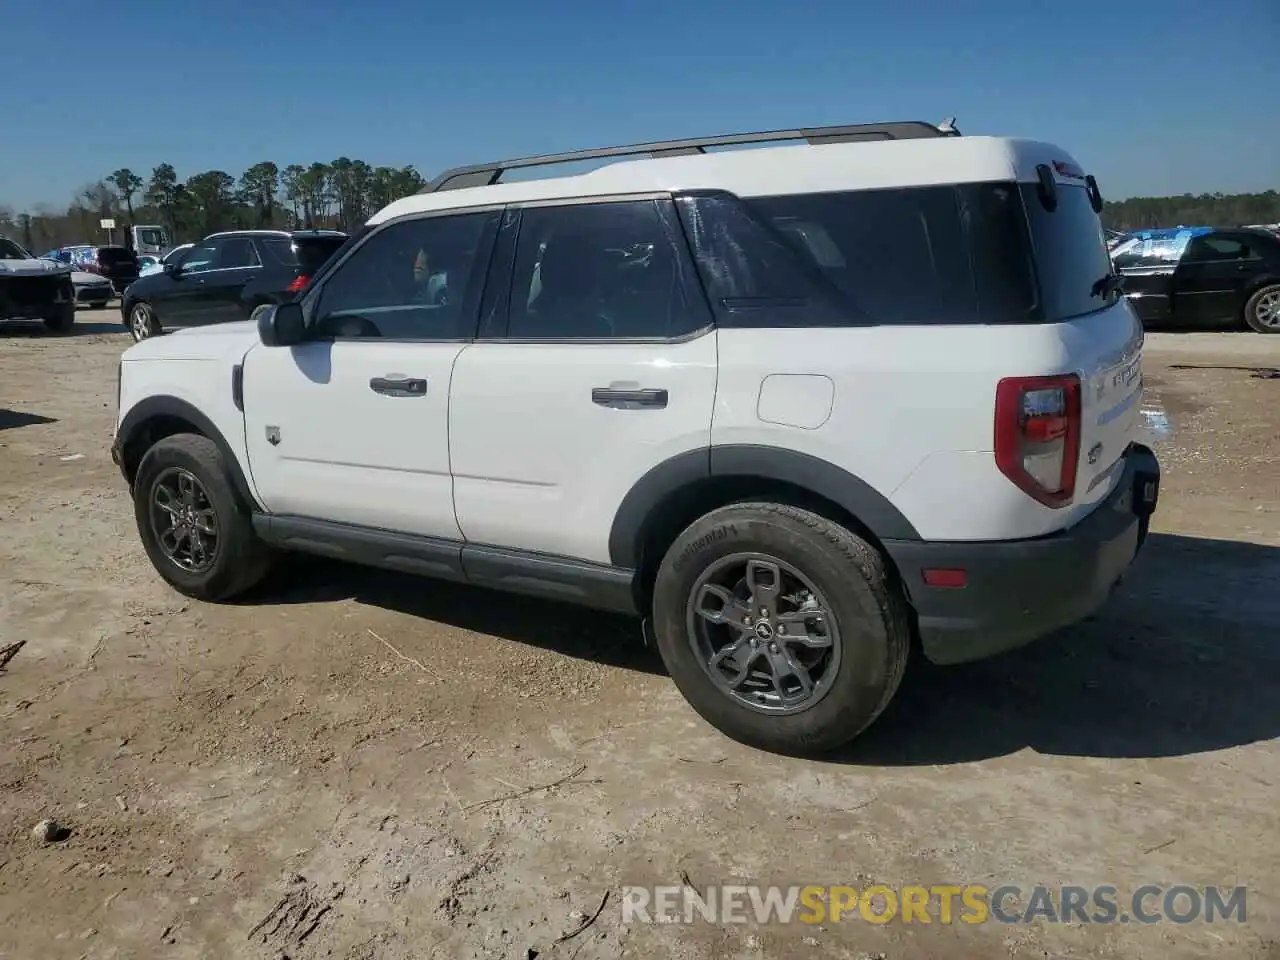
(1071, 252)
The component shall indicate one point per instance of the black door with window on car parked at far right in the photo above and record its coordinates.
(1213, 277)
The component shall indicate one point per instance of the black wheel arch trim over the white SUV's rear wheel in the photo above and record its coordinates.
(652, 491)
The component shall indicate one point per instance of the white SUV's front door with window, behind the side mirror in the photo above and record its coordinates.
(353, 427)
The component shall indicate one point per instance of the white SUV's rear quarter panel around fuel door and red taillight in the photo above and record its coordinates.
(913, 412)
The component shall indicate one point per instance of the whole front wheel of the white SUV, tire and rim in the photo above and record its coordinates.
(196, 531)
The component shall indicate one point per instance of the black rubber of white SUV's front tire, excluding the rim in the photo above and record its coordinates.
(202, 458)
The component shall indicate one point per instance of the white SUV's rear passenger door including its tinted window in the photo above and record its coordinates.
(596, 363)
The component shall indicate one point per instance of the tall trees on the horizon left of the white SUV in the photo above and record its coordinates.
(340, 195)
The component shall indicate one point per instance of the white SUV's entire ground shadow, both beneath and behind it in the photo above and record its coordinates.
(1185, 659)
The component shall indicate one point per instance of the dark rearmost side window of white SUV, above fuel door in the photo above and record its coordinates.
(929, 255)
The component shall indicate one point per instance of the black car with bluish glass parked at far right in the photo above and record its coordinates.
(1204, 277)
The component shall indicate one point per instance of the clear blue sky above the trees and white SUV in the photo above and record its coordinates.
(1155, 98)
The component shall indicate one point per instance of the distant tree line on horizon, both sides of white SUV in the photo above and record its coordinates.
(344, 194)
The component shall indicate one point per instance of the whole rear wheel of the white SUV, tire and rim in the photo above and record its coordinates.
(781, 628)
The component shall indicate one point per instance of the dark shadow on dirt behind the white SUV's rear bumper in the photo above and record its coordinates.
(1185, 659)
